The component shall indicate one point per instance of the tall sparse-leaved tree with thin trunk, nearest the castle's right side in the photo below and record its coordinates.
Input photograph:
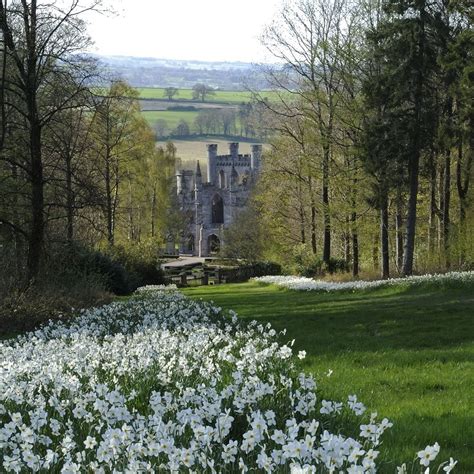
(307, 38)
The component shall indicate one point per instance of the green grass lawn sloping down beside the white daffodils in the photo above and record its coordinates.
(407, 353)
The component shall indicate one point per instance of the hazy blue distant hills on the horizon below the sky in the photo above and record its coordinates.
(152, 72)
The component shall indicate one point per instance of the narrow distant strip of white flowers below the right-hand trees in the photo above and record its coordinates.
(308, 284)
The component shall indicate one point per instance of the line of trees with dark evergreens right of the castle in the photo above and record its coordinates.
(372, 159)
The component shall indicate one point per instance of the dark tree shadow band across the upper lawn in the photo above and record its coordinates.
(388, 318)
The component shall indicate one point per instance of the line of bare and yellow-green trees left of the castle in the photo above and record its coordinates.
(76, 167)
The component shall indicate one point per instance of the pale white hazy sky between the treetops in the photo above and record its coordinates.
(210, 30)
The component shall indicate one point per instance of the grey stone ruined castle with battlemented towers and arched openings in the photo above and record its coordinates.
(212, 206)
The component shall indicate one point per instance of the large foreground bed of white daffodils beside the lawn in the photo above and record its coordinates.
(163, 383)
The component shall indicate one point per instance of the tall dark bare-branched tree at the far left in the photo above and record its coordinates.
(40, 44)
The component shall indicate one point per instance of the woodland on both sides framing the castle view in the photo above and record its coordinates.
(368, 168)
